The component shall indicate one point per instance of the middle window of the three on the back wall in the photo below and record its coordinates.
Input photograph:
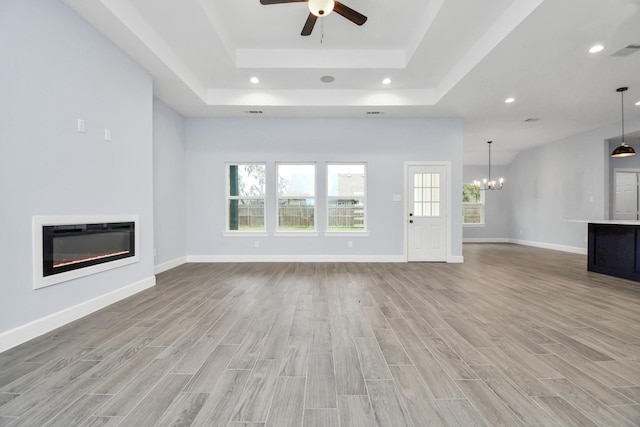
(296, 197)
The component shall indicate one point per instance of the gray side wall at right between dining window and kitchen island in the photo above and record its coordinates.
(555, 186)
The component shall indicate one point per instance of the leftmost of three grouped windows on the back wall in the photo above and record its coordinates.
(246, 197)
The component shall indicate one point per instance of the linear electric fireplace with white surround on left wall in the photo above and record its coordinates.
(66, 248)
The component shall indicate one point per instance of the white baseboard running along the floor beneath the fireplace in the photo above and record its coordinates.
(46, 324)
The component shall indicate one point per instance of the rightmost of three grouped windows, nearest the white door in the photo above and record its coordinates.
(346, 195)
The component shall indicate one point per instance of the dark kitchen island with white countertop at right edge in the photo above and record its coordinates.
(614, 248)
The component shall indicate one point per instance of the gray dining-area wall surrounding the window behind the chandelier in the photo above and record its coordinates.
(496, 208)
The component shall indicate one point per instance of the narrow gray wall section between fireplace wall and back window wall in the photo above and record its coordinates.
(169, 182)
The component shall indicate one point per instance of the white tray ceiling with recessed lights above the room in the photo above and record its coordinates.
(444, 58)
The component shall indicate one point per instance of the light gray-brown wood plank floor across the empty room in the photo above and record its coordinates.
(514, 336)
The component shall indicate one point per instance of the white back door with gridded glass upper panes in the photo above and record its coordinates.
(427, 213)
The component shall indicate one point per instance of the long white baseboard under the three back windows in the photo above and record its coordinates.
(295, 258)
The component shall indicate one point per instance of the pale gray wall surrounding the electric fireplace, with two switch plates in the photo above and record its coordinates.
(56, 69)
